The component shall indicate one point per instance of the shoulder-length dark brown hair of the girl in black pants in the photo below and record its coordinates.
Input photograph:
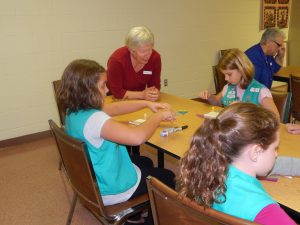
(79, 87)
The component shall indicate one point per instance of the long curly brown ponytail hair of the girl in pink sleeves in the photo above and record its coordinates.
(216, 143)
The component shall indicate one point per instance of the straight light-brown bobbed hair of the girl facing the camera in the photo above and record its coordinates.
(236, 59)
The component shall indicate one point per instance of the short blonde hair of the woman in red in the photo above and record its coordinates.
(137, 36)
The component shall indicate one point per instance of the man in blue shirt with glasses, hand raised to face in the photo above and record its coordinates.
(267, 56)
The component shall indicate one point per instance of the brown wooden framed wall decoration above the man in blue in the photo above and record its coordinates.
(275, 13)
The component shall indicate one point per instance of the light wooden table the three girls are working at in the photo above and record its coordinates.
(285, 190)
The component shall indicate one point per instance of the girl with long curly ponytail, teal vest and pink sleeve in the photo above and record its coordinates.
(226, 154)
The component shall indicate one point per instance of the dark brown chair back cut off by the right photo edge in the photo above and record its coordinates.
(295, 89)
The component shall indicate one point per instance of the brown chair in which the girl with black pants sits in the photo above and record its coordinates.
(80, 172)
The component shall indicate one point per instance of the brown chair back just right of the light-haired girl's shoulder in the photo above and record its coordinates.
(282, 101)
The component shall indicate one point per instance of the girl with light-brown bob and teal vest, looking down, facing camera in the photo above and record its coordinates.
(241, 87)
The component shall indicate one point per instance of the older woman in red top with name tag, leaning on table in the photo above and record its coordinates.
(133, 71)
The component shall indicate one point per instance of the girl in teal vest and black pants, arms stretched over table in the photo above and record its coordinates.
(81, 98)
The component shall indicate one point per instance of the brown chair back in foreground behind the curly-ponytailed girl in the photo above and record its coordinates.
(170, 208)
